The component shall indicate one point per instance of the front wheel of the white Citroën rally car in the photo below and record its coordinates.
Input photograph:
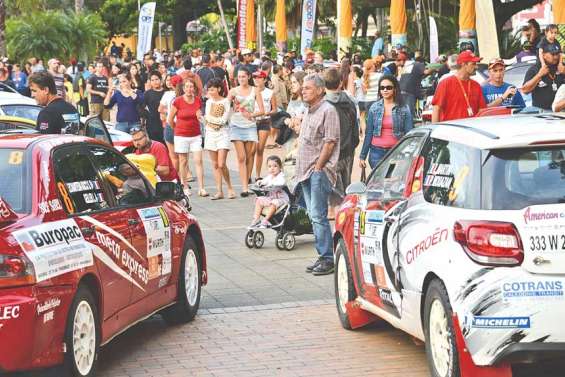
(344, 288)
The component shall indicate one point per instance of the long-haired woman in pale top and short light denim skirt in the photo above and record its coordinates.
(243, 129)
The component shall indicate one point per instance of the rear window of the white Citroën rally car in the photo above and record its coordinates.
(517, 178)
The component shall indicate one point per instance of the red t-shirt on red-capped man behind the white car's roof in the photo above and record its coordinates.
(449, 96)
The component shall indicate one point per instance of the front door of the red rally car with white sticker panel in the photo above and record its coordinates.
(149, 256)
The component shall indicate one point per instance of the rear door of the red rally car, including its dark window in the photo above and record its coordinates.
(87, 201)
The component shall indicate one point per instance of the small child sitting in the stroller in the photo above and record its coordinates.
(276, 196)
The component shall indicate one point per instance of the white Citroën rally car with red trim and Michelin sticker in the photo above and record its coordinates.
(458, 238)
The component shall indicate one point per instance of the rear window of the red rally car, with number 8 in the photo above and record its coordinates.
(14, 188)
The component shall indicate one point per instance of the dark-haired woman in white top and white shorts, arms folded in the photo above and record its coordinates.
(217, 140)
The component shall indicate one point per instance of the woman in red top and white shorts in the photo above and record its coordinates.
(184, 118)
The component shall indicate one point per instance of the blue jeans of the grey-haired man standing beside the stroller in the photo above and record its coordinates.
(316, 191)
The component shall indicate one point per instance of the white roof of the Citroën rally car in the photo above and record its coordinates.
(505, 131)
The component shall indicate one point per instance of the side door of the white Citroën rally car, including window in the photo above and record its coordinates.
(377, 225)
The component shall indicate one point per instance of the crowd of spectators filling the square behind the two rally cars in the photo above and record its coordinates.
(177, 105)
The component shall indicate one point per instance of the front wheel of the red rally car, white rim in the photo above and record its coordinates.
(189, 286)
